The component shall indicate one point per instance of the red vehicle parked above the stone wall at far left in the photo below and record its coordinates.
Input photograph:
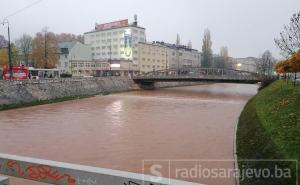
(19, 73)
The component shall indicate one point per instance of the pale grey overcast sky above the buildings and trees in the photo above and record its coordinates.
(246, 27)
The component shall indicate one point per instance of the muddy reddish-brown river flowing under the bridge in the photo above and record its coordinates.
(131, 131)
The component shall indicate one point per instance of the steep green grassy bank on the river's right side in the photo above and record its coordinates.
(268, 128)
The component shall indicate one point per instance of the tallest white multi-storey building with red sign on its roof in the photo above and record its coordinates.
(116, 42)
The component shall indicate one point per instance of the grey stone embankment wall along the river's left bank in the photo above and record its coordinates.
(14, 92)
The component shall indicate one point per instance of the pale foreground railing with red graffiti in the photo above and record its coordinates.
(59, 173)
